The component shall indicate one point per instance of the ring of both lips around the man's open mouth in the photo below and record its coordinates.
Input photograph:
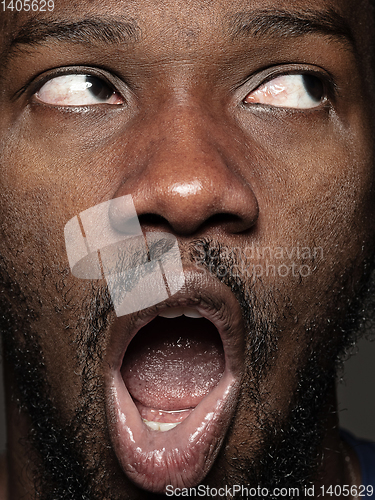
(182, 456)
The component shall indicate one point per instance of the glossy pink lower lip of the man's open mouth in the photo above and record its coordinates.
(180, 457)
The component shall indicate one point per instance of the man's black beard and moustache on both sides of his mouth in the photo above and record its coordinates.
(73, 465)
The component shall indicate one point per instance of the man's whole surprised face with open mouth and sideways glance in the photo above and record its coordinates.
(244, 130)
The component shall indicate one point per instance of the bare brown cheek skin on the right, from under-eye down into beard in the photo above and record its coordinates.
(316, 227)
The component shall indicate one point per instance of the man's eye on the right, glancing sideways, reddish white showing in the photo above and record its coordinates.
(289, 91)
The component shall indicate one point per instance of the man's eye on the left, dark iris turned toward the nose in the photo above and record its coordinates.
(78, 90)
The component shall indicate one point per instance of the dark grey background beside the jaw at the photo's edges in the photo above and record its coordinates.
(356, 395)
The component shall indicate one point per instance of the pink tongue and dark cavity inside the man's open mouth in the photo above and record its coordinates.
(171, 364)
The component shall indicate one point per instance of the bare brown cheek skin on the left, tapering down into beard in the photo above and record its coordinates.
(37, 198)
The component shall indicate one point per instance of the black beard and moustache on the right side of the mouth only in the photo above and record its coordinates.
(290, 446)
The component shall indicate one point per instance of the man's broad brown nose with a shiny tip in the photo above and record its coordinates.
(189, 181)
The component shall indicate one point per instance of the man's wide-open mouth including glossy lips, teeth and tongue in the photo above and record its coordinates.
(173, 391)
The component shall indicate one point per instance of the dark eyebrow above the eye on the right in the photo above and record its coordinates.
(291, 24)
